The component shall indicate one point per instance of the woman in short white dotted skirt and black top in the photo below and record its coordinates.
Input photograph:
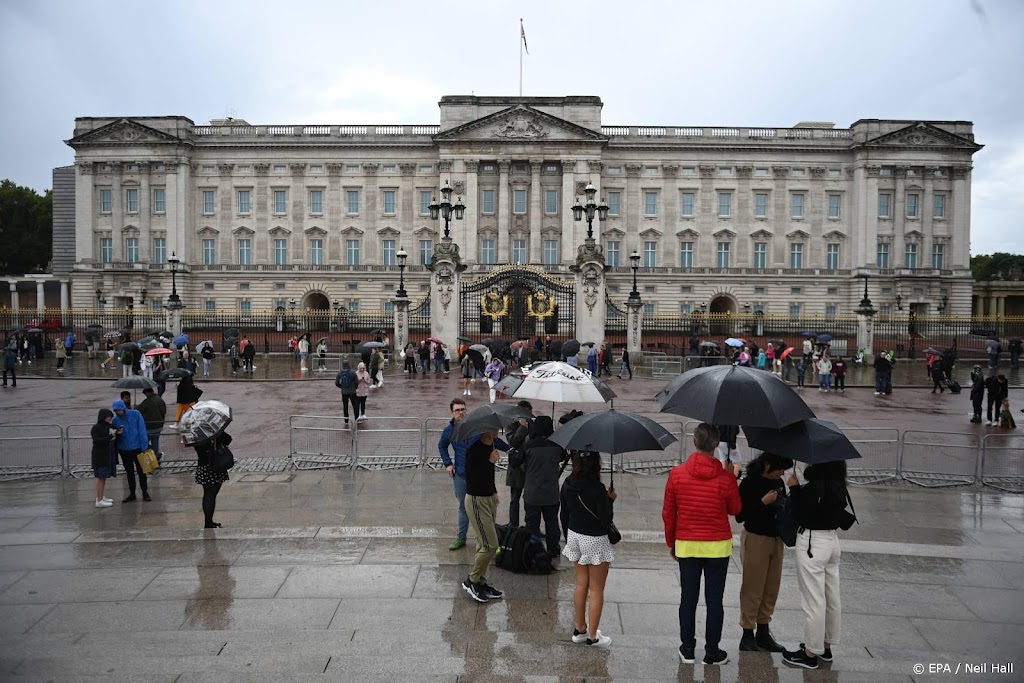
(586, 516)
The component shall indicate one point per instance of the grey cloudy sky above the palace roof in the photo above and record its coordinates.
(680, 63)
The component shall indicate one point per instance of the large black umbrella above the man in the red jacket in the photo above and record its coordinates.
(734, 396)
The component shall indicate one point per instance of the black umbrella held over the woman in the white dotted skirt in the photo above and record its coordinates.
(613, 432)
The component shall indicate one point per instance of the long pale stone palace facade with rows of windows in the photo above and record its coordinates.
(785, 221)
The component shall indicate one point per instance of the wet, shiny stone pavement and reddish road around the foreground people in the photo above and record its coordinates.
(346, 576)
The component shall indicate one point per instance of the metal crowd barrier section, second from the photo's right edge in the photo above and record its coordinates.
(940, 459)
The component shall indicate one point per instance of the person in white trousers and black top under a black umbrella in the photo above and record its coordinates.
(821, 510)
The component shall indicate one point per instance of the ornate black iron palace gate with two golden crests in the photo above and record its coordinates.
(519, 302)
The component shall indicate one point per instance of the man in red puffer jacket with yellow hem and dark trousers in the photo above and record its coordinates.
(700, 498)
